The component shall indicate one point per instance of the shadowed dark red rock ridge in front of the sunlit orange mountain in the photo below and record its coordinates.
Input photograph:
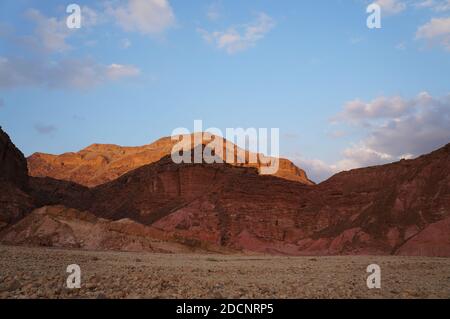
(401, 208)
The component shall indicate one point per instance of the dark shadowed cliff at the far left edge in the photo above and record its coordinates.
(14, 201)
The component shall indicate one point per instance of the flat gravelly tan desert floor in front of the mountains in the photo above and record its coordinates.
(41, 273)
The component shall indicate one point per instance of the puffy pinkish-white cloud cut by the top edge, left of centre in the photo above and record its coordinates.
(145, 16)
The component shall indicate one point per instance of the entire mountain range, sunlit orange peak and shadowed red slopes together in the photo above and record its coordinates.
(109, 197)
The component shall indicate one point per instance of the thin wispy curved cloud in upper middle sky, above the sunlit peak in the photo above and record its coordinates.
(236, 39)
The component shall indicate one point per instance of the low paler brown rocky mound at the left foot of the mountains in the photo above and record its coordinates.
(58, 226)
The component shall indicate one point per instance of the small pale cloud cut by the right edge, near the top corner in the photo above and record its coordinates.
(436, 30)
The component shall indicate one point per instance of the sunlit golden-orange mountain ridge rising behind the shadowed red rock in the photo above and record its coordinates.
(101, 163)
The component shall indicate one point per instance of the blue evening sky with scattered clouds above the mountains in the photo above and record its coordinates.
(342, 95)
